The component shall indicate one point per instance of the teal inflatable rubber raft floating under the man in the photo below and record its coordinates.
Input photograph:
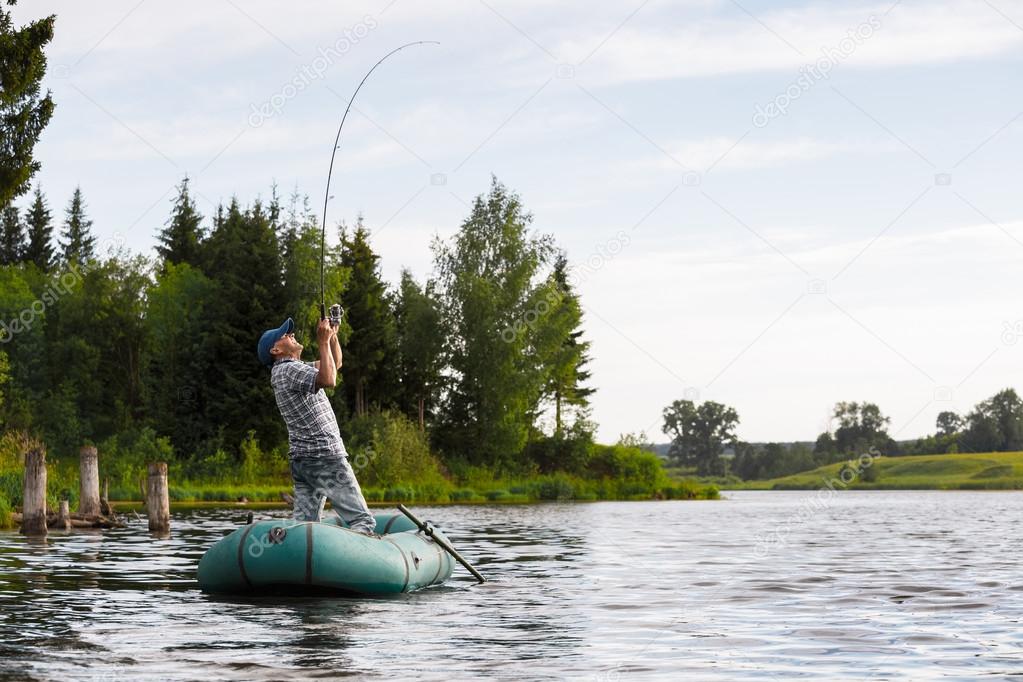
(281, 555)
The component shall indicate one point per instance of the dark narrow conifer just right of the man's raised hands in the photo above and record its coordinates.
(369, 371)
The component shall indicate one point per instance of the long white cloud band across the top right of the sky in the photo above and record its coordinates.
(911, 34)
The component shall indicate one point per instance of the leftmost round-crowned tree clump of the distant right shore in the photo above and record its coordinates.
(699, 434)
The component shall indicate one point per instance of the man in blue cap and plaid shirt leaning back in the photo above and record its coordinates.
(319, 460)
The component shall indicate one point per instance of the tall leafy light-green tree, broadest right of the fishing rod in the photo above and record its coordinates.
(488, 284)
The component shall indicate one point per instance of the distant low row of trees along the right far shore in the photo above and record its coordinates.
(701, 435)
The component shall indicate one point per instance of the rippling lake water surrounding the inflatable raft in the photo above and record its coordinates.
(763, 585)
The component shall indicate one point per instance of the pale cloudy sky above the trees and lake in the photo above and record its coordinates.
(774, 206)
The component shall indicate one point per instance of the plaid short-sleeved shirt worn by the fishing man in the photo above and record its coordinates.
(313, 427)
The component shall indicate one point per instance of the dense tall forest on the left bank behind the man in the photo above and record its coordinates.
(486, 356)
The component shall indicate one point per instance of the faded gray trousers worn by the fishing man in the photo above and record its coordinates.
(331, 478)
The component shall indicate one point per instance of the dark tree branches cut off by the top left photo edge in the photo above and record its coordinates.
(24, 114)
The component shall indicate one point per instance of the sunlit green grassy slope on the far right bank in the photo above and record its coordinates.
(991, 471)
